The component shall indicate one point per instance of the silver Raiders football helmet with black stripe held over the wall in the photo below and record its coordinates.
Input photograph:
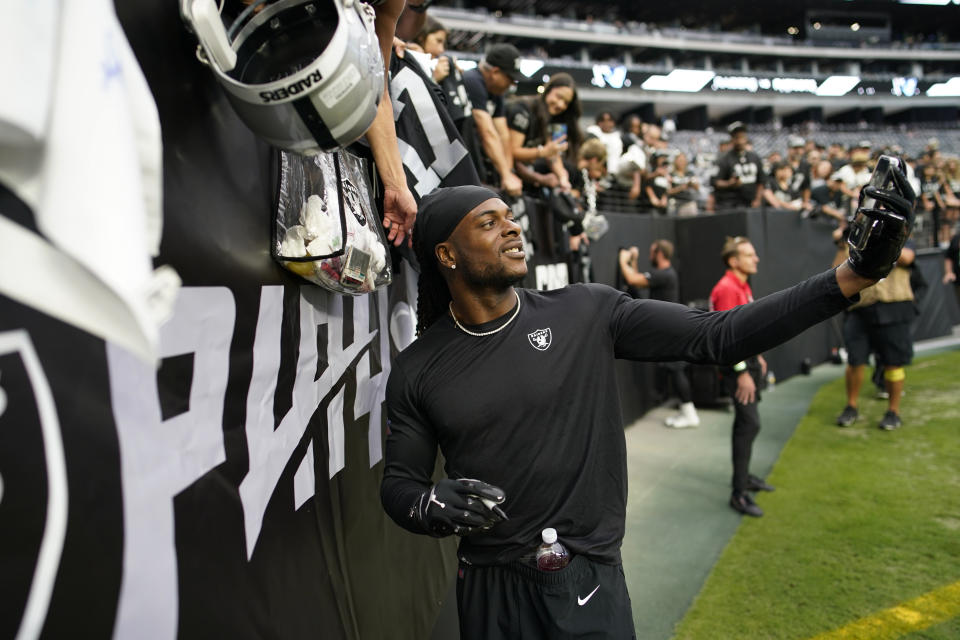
(305, 75)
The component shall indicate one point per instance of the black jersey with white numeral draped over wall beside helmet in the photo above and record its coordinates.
(433, 152)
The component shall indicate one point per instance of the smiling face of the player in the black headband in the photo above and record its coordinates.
(487, 247)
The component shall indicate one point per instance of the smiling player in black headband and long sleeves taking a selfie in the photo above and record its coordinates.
(517, 389)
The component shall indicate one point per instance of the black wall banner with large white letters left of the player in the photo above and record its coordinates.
(234, 491)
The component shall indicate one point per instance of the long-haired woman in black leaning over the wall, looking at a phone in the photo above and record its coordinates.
(544, 128)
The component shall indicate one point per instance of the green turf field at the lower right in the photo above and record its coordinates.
(862, 521)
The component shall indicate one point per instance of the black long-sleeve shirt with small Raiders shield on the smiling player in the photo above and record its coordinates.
(534, 408)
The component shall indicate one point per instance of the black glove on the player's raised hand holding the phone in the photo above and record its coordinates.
(877, 235)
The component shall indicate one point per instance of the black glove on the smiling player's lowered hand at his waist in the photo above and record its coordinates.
(457, 506)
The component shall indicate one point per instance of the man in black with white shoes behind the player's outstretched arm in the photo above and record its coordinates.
(664, 284)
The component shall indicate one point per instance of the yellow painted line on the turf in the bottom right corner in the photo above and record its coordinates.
(920, 613)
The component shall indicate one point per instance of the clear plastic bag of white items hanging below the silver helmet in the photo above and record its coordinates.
(327, 230)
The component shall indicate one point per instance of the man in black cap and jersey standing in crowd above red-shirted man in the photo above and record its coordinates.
(739, 180)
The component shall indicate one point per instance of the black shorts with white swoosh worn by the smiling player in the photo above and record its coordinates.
(585, 599)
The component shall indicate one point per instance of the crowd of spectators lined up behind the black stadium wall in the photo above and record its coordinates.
(537, 145)
